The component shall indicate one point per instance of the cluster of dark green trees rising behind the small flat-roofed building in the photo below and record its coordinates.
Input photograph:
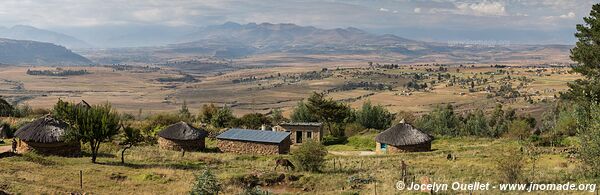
(336, 115)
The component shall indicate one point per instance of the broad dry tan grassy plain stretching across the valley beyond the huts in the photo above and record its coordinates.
(282, 87)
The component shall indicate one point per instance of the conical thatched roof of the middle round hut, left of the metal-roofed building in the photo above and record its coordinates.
(182, 131)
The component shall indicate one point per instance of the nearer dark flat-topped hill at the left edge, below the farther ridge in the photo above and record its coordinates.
(17, 52)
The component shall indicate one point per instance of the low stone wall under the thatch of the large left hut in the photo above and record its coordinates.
(57, 148)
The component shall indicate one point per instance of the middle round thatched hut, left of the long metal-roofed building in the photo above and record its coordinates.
(181, 136)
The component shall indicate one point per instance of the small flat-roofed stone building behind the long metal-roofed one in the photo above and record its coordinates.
(301, 132)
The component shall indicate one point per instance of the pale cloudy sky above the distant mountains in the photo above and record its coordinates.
(516, 21)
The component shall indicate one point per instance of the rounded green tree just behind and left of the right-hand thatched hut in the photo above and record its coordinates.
(375, 117)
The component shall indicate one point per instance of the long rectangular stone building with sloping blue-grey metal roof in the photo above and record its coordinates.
(245, 141)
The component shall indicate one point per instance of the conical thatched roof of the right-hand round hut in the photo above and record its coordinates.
(403, 134)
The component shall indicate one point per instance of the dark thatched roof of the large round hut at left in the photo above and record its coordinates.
(43, 130)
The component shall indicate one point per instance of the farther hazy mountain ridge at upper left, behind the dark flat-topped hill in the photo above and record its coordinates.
(21, 32)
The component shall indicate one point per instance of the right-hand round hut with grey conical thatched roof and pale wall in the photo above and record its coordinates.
(402, 137)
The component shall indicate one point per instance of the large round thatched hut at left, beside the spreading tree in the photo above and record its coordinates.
(46, 136)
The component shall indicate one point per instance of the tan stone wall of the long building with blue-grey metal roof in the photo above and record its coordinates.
(246, 147)
